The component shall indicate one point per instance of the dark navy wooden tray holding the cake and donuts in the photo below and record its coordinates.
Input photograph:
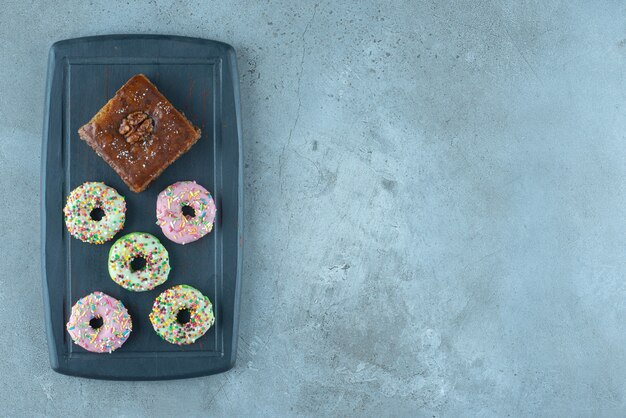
(200, 78)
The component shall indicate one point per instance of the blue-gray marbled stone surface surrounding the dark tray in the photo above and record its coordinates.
(435, 209)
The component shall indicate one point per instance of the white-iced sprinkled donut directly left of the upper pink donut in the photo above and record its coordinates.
(94, 212)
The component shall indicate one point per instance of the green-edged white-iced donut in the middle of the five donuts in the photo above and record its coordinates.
(138, 262)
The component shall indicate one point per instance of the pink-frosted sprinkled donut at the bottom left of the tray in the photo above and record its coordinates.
(99, 323)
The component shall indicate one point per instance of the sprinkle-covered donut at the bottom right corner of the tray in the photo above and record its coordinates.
(181, 315)
